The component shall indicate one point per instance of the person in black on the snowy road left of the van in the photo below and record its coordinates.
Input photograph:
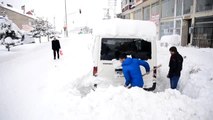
(56, 47)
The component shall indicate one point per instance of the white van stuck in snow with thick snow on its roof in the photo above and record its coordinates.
(115, 36)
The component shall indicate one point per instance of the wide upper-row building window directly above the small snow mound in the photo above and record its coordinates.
(168, 8)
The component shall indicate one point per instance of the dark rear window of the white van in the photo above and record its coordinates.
(111, 48)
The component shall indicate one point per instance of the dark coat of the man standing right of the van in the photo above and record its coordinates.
(175, 65)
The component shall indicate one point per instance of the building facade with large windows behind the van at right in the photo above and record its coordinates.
(191, 19)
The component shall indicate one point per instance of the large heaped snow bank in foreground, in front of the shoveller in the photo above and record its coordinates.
(120, 103)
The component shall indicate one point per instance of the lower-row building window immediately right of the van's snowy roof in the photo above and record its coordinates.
(166, 28)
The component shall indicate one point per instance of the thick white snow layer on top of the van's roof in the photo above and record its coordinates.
(125, 28)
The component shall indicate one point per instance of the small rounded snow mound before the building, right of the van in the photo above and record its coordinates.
(174, 40)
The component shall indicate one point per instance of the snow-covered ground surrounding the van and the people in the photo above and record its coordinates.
(35, 87)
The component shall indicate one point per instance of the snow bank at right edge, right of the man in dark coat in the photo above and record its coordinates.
(197, 74)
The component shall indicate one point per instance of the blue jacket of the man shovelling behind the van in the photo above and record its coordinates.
(132, 72)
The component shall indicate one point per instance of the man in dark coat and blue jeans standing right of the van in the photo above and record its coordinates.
(175, 67)
